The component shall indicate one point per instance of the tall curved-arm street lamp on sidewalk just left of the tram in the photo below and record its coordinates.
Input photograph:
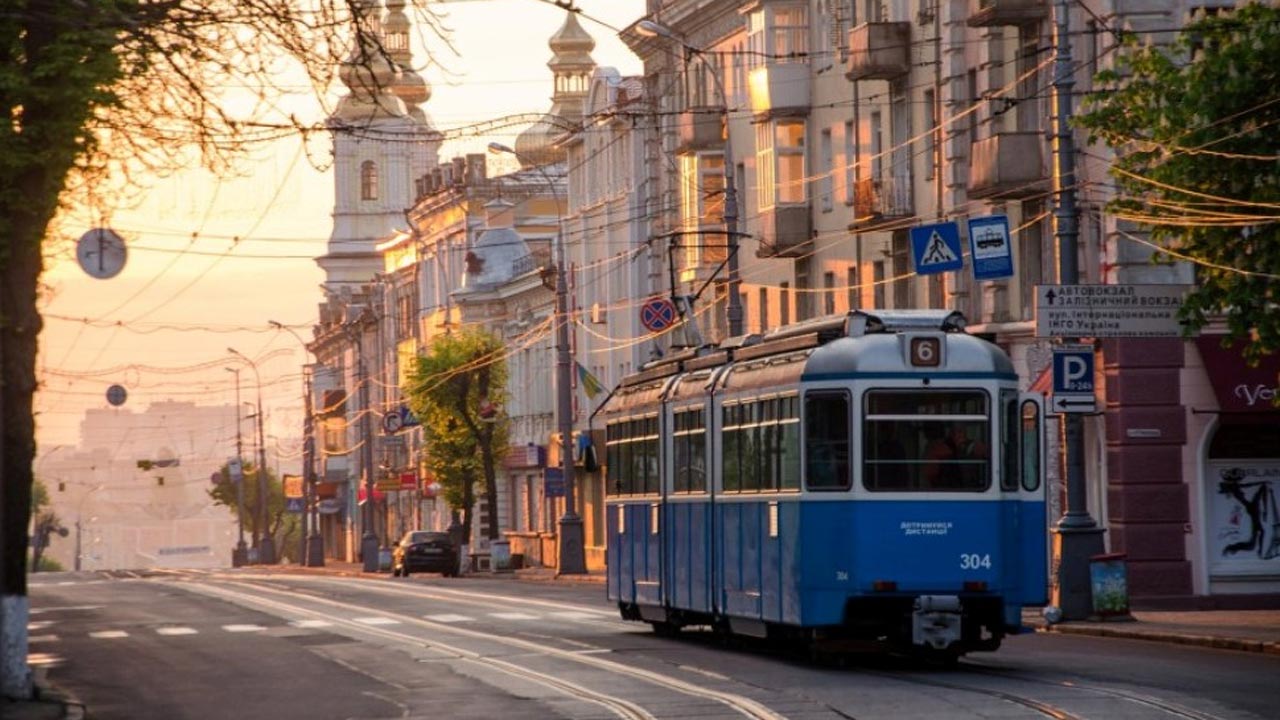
(573, 554)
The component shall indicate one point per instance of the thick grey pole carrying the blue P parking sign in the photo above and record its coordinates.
(1077, 536)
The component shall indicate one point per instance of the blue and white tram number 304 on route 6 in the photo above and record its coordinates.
(853, 482)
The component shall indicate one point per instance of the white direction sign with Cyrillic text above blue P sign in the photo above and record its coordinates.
(1109, 311)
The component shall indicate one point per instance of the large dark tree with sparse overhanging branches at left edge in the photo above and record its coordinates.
(95, 98)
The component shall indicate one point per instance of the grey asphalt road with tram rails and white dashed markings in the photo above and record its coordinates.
(253, 645)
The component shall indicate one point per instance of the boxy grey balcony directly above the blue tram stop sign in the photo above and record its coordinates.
(1009, 166)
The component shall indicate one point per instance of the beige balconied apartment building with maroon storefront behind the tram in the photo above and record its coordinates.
(843, 125)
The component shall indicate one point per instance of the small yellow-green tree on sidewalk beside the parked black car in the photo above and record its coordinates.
(459, 391)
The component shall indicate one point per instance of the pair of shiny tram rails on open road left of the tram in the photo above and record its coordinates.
(243, 593)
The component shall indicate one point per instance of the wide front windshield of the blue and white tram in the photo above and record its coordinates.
(926, 441)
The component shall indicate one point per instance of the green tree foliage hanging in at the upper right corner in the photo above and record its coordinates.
(1197, 133)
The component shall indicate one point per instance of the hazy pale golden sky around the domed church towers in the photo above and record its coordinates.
(191, 290)
